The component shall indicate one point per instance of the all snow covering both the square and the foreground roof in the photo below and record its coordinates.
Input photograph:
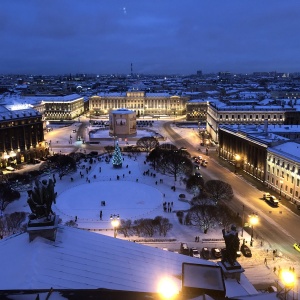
(131, 200)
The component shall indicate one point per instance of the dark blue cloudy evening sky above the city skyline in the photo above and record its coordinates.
(157, 36)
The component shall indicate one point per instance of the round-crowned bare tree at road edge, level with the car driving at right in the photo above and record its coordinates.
(219, 190)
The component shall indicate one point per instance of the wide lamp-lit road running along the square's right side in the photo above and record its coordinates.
(277, 226)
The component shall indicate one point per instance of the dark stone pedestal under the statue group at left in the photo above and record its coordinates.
(43, 227)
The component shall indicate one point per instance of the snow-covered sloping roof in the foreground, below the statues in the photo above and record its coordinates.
(80, 259)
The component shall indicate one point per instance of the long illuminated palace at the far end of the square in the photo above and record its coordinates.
(139, 101)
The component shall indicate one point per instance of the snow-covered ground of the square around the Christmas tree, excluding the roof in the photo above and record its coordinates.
(135, 196)
